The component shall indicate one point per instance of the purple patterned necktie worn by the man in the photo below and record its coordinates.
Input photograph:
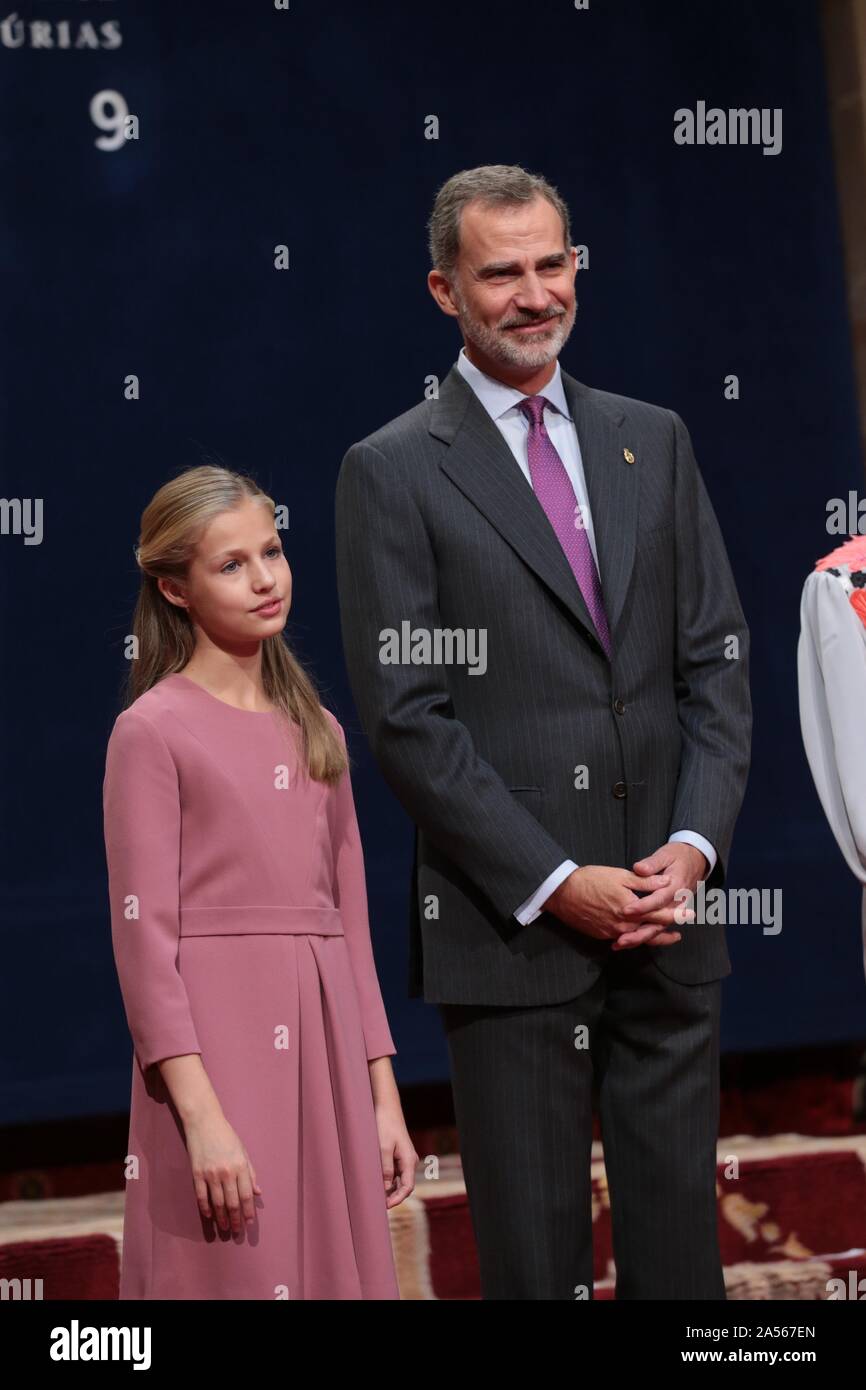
(554, 490)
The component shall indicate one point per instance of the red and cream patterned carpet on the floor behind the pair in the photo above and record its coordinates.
(792, 1220)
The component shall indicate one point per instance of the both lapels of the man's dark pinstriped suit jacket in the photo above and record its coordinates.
(482, 465)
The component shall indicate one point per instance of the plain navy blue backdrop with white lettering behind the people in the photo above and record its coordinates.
(308, 129)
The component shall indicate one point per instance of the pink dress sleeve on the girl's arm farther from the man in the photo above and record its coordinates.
(142, 831)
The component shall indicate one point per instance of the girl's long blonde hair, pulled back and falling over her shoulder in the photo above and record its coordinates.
(173, 525)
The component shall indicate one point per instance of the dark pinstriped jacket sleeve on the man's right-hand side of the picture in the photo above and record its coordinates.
(712, 687)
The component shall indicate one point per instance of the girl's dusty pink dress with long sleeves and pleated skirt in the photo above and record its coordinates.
(240, 929)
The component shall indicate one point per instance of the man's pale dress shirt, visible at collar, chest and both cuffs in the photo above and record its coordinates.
(501, 404)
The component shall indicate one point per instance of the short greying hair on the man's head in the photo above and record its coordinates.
(493, 186)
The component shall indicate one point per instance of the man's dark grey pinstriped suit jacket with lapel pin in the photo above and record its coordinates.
(439, 528)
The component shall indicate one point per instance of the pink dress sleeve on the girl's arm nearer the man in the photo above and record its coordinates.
(351, 897)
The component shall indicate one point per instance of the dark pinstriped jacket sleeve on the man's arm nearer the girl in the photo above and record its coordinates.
(387, 575)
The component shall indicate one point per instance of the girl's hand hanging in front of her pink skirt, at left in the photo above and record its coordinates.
(222, 1172)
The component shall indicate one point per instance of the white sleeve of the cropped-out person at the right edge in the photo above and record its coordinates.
(832, 679)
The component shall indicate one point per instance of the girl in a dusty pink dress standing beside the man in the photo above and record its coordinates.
(266, 1134)
